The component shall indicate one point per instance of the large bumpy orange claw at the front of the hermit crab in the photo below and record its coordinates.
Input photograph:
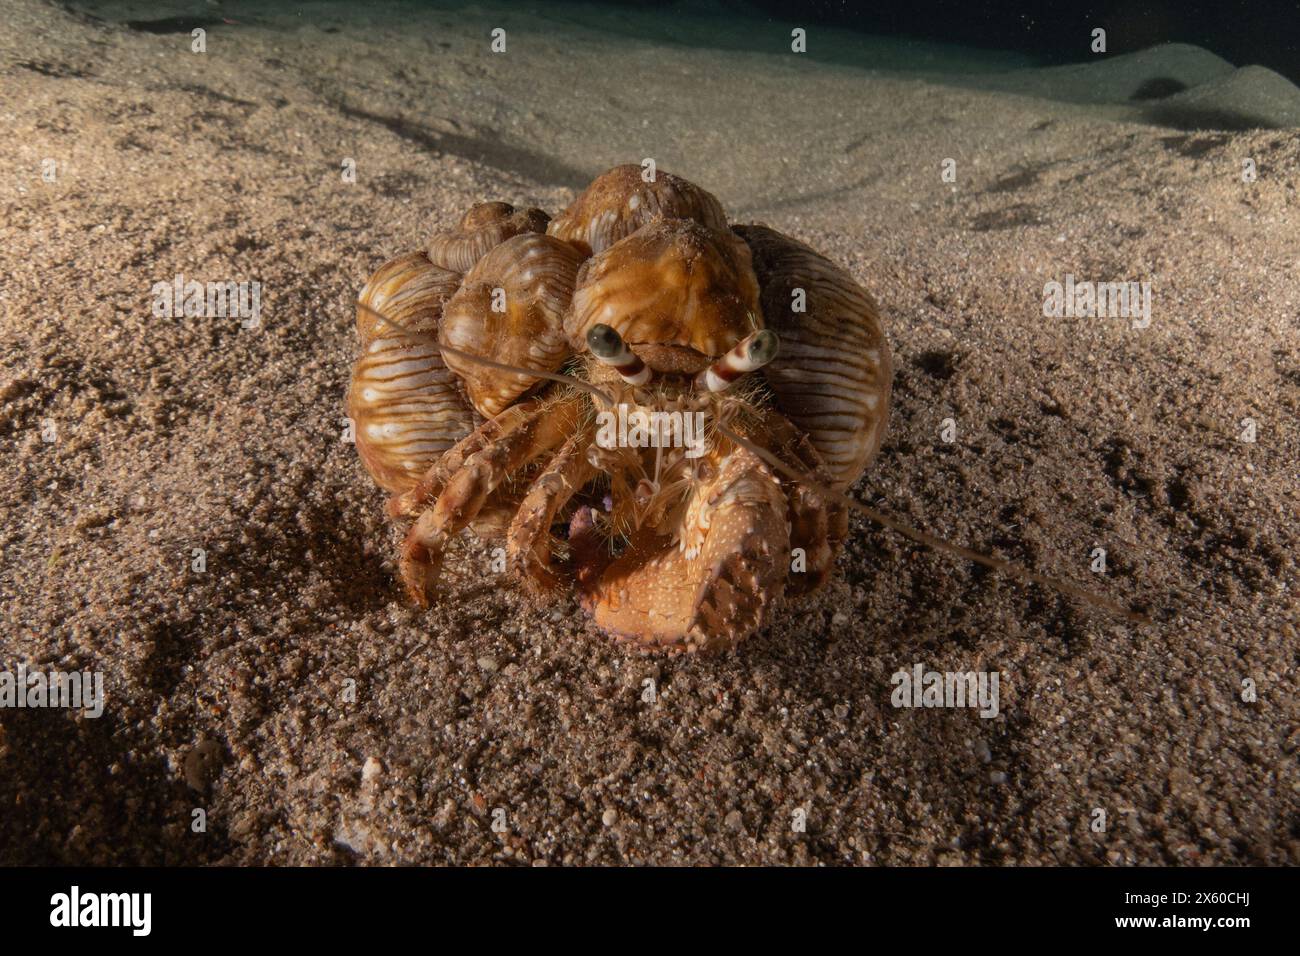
(710, 589)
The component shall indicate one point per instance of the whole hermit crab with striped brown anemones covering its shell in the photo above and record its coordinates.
(627, 396)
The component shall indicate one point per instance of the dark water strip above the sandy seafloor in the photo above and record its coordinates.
(1030, 33)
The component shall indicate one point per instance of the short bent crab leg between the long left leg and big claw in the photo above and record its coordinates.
(530, 538)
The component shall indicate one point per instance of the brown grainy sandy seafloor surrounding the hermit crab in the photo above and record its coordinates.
(226, 689)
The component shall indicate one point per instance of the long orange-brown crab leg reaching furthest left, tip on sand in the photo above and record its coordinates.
(467, 491)
